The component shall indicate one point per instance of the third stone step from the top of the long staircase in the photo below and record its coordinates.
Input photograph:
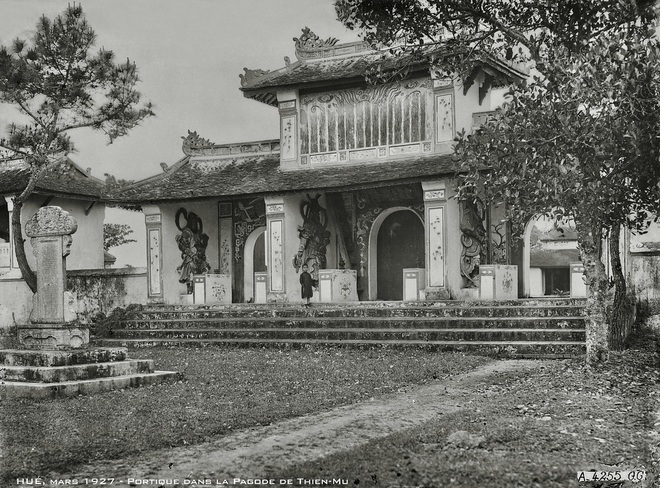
(422, 334)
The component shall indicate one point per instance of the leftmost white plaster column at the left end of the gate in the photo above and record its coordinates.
(153, 220)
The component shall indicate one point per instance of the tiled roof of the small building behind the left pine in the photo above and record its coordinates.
(70, 180)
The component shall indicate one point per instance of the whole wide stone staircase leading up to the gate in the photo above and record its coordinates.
(521, 328)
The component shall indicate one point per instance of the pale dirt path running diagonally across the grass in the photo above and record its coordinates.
(250, 453)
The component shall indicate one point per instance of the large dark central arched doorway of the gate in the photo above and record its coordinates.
(399, 244)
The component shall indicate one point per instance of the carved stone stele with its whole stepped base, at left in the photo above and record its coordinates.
(54, 360)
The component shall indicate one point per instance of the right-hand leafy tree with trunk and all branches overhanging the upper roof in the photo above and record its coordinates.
(580, 139)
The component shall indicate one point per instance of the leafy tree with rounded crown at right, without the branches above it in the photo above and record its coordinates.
(583, 142)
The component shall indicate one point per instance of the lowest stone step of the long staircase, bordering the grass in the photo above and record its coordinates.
(551, 349)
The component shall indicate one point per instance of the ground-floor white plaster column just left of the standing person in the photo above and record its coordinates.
(275, 248)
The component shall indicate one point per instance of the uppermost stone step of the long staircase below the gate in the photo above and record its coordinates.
(452, 310)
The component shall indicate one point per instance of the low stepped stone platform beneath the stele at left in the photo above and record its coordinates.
(69, 372)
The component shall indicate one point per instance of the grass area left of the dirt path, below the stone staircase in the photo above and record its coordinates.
(221, 390)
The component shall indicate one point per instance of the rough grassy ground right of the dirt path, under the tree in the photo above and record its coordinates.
(539, 429)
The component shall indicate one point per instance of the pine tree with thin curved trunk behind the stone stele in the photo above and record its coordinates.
(58, 85)
